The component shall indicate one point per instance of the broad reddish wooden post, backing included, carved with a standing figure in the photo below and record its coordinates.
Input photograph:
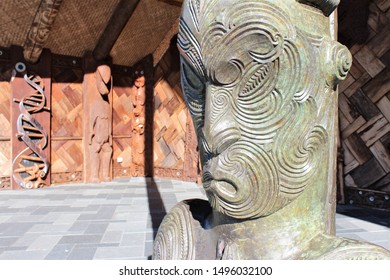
(97, 120)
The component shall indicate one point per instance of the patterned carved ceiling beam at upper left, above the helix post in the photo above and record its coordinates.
(40, 29)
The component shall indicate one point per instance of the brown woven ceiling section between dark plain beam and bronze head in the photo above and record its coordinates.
(144, 31)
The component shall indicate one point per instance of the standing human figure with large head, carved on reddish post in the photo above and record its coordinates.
(100, 127)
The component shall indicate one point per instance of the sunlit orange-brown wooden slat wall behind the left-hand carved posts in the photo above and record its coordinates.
(174, 140)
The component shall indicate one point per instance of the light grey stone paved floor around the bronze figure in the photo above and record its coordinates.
(118, 220)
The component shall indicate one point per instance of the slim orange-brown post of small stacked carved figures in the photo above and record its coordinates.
(138, 98)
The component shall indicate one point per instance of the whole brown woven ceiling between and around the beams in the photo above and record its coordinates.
(79, 26)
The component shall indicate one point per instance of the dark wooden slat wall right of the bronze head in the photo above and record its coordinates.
(364, 112)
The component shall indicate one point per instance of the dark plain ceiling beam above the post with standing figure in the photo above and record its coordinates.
(115, 25)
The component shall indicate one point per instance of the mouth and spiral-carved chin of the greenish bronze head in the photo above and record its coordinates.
(242, 182)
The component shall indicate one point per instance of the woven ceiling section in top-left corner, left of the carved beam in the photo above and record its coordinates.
(15, 20)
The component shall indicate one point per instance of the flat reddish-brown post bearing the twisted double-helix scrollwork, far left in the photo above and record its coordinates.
(30, 120)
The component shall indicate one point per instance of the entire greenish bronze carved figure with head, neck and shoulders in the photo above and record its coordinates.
(259, 78)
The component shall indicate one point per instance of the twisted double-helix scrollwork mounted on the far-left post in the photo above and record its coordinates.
(30, 166)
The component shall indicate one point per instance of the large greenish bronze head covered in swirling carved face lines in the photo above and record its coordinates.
(259, 78)
